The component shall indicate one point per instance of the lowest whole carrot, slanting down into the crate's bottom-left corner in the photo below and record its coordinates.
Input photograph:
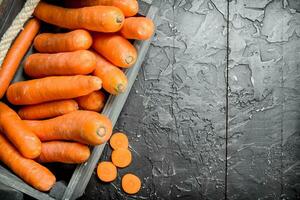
(30, 171)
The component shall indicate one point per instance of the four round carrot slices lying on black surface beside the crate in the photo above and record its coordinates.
(120, 158)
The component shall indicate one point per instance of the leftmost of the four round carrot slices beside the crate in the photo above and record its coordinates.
(106, 171)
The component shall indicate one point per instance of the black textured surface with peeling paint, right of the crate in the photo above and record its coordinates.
(175, 115)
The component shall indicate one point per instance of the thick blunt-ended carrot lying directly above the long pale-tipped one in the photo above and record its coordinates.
(79, 62)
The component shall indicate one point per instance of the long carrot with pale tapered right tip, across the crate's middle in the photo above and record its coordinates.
(52, 88)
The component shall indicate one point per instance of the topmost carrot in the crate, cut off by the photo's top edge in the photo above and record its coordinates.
(128, 7)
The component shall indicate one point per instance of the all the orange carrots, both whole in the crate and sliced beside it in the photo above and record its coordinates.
(70, 76)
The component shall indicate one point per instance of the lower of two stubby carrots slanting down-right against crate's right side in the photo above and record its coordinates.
(114, 79)
